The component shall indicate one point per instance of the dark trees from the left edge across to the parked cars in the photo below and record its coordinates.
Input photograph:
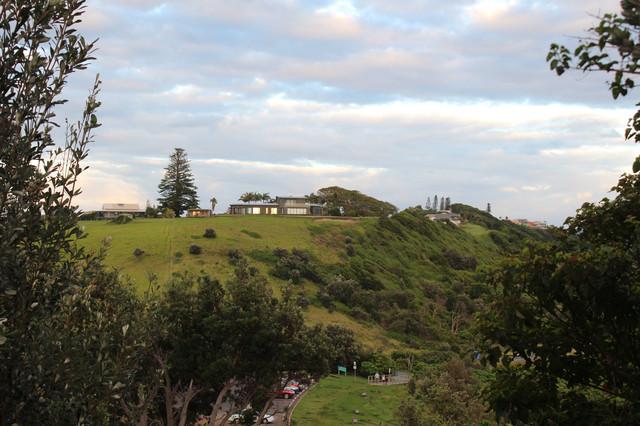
(77, 345)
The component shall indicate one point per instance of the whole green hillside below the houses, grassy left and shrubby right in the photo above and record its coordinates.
(399, 281)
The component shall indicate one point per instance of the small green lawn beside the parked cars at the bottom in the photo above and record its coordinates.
(335, 399)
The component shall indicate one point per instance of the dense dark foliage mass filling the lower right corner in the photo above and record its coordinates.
(569, 309)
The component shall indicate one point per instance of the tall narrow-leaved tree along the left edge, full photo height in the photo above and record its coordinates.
(71, 337)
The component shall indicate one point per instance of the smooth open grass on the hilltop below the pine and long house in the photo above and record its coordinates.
(254, 236)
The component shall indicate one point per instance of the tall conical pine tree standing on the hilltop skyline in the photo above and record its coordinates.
(177, 188)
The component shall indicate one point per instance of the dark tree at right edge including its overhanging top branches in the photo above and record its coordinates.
(565, 323)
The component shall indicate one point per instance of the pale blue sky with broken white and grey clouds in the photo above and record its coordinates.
(398, 99)
